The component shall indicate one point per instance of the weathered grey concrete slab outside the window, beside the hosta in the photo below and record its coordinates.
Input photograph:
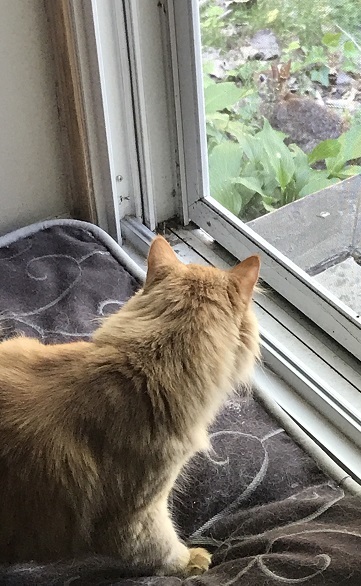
(321, 233)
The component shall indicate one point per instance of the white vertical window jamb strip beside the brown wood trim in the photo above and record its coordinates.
(106, 95)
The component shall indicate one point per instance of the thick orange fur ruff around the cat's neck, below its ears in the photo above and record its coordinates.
(186, 345)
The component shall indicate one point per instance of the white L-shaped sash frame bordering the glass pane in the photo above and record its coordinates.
(284, 276)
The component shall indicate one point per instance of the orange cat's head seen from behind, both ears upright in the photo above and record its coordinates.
(215, 298)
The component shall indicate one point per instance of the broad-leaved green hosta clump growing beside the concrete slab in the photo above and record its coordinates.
(261, 173)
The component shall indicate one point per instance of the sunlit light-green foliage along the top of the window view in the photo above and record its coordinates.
(298, 26)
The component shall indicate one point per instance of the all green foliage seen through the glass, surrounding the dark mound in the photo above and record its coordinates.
(252, 170)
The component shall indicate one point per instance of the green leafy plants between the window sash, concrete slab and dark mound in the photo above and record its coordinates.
(253, 171)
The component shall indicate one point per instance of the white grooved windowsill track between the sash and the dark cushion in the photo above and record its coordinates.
(295, 354)
